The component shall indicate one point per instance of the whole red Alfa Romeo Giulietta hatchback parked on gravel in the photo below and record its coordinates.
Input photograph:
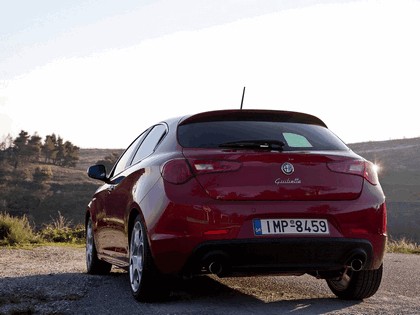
(239, 192)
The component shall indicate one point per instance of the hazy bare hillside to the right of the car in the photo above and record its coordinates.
(399, 163)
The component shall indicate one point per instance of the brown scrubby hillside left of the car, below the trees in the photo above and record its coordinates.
(69, 190)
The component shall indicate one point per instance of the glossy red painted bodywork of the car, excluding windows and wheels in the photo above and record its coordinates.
(213, 211)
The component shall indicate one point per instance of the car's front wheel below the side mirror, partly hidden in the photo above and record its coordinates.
(94, 265)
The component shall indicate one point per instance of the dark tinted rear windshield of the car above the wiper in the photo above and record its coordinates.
(295, 136)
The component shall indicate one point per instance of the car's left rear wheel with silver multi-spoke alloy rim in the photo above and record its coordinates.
(146, 283)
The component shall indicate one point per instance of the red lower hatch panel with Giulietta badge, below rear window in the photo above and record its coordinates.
(246, 175)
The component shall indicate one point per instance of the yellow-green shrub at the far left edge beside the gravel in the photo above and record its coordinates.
(15, 230)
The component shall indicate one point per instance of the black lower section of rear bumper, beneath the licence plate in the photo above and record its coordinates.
(271, 256)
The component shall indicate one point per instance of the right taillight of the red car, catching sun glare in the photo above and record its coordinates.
(362, 168)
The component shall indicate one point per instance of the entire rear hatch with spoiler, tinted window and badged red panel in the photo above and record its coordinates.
(269, 155)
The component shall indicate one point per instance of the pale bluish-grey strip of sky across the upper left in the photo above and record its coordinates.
(87, 28)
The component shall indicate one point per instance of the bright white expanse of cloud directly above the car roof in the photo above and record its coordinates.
(353, 65)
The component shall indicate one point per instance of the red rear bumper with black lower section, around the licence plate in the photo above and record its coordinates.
(186, 234)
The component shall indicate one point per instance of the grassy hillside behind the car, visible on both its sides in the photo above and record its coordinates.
(69, 190)
